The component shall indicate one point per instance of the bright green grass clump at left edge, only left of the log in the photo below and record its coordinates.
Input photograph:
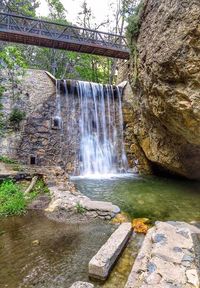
(12, 201)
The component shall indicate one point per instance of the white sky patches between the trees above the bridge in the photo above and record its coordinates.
(100, 9)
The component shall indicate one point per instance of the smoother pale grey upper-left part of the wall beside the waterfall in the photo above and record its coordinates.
(35, 88)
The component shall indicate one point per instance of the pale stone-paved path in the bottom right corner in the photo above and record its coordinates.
(167, 258)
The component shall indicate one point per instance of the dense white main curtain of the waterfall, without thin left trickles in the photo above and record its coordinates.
(101, 130)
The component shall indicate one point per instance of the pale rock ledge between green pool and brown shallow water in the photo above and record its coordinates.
(67, 203)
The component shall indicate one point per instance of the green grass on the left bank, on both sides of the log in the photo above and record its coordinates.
(13, 200)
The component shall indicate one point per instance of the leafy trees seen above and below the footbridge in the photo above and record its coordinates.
(63, 64)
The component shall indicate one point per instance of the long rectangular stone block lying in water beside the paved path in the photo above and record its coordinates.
(101, 264)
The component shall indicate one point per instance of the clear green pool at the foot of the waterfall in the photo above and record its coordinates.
(151, 197)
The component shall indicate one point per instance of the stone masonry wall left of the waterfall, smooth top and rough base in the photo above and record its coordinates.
(37, 138)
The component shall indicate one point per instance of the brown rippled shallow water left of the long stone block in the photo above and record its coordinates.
(61, 257)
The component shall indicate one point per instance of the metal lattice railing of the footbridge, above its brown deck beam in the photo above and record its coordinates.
(63, 32)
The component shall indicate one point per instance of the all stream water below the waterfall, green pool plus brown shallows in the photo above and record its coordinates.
(61, 253)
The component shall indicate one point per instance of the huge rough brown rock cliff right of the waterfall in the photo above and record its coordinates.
(166, 102)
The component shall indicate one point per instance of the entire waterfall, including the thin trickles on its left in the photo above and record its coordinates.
(94, 123)
